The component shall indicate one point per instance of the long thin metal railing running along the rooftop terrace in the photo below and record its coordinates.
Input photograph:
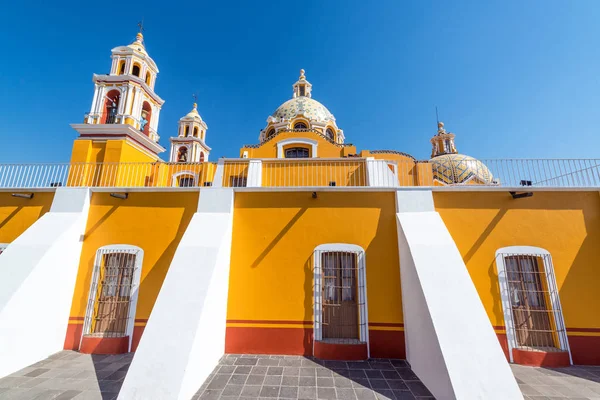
(311, 172)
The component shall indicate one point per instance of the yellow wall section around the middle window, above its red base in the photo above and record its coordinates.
(274, 235)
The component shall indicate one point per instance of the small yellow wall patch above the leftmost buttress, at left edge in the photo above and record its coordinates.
(16, 214)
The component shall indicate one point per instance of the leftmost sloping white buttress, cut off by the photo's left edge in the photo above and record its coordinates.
(37, 279)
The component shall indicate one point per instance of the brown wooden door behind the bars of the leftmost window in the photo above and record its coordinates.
(114, 295)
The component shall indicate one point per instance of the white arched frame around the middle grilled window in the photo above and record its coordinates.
(363, 313)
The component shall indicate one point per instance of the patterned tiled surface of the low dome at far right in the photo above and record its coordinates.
(458, 168)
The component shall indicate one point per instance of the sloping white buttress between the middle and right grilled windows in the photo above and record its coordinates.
(450, 343)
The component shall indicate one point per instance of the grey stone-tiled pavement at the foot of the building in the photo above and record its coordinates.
(71, 375)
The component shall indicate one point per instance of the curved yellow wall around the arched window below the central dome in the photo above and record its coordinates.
(325, 149)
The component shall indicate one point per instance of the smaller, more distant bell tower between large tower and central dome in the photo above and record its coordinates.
(189, 145)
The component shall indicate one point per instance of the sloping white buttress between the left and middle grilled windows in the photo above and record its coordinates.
(185, 334)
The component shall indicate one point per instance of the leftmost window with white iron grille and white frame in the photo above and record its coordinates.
(113, 291)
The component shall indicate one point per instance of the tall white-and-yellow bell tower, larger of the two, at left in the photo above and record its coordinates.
(123, 119)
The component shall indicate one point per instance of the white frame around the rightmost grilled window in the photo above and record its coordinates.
(504, 293)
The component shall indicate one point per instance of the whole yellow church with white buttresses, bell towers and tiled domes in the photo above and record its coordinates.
(301, 244)
